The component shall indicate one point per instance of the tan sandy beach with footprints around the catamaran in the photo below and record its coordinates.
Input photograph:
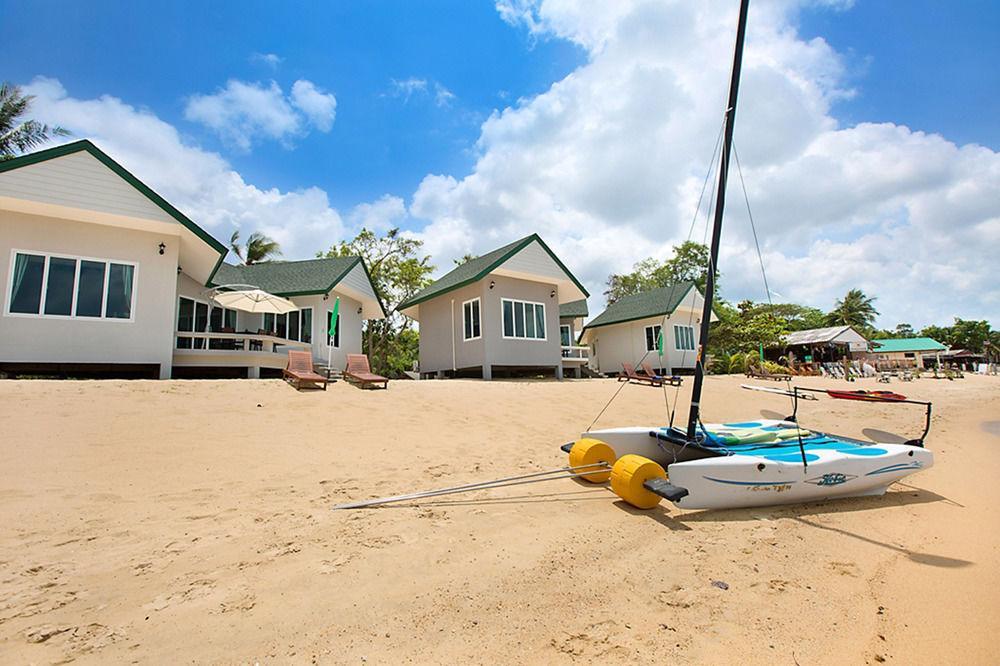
(182, 521)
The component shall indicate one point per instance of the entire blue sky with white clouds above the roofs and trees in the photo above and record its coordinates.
(867, 132)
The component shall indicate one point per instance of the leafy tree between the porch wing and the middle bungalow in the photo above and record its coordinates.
(398, 271)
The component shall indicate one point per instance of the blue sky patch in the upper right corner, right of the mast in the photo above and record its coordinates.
(927, 64)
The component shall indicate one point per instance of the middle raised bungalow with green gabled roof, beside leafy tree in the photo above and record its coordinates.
(500, 313)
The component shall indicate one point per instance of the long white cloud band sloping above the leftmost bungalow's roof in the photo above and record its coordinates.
(200, 183)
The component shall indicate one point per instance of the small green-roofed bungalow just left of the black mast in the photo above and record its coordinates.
(629, 329)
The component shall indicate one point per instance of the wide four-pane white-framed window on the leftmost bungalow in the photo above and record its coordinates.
(71, 287)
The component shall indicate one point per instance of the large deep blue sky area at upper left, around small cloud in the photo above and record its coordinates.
(158, 54)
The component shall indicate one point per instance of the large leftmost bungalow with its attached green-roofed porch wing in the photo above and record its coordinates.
(105, 277)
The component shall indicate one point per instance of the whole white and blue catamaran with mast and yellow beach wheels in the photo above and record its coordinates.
(727, 465)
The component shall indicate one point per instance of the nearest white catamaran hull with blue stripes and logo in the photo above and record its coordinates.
(753, 480)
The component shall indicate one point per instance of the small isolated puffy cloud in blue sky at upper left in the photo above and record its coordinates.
(244, 112)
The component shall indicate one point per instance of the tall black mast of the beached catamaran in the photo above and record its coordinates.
(720, 203)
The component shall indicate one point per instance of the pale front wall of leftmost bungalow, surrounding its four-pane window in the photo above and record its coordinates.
(147, 338)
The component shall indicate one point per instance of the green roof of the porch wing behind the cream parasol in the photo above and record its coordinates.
(294, 278)
